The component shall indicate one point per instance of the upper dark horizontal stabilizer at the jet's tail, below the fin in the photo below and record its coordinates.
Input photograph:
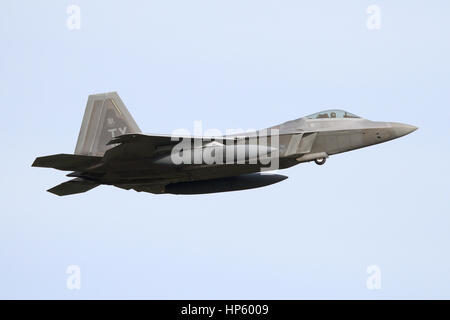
(66, 162)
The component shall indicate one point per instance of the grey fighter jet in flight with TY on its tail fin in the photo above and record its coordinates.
(111, 150)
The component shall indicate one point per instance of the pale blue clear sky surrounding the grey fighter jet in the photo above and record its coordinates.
(231, 64)
